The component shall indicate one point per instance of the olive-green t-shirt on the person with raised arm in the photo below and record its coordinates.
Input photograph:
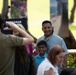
(7, 53)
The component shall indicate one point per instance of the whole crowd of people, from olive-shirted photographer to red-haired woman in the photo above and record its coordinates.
(16, 58)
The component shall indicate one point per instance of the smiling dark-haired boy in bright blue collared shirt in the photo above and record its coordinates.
(41, 47)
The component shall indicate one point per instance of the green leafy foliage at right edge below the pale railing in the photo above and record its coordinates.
(71, 61)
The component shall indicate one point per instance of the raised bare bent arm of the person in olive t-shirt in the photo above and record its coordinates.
(27, 39)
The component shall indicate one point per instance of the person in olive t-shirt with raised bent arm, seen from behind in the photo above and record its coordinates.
(7, 45)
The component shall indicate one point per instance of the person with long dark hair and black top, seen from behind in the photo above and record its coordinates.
(24, 62)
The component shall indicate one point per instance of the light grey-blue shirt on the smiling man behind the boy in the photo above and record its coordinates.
(54, 40)
